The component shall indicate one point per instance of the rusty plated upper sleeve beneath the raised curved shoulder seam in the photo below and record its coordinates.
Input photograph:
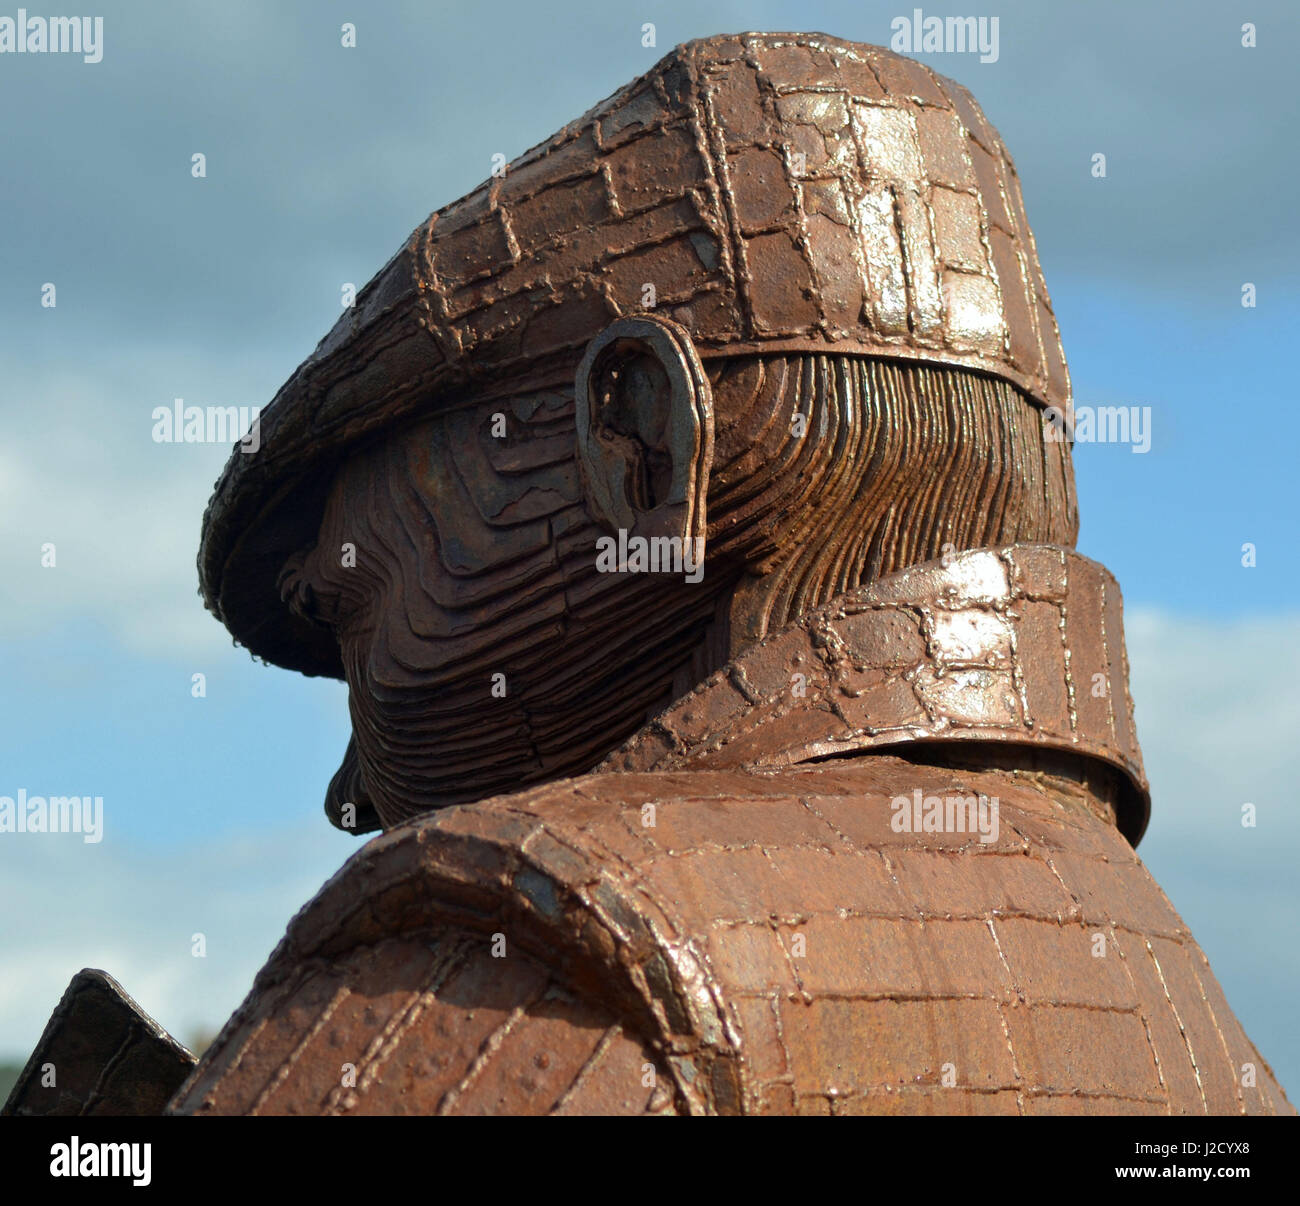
(431, 1022)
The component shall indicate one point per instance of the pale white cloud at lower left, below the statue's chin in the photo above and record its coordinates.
(135, 914)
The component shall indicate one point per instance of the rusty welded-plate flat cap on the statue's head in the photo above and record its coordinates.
(772, 193)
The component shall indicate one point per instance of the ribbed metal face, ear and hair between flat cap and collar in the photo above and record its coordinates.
(458, 558)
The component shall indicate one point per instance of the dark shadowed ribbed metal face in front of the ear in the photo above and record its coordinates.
(483, 645)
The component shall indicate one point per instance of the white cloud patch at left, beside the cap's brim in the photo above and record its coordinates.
(122, 511)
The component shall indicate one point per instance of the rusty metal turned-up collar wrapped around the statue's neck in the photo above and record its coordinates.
(1021, 645)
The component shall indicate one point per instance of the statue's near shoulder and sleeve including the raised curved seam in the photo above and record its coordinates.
(489, 958)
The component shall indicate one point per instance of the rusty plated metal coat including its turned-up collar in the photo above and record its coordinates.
(764, 939)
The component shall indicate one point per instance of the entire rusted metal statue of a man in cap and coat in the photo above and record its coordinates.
(835, 812)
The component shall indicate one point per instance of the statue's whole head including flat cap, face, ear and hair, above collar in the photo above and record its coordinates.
(778, 297)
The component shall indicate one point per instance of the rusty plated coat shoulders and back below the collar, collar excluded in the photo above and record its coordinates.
(918, 951)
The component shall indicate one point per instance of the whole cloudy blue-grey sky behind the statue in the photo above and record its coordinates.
(320, 162)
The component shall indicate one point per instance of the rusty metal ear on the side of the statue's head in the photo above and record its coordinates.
(645, 428)
